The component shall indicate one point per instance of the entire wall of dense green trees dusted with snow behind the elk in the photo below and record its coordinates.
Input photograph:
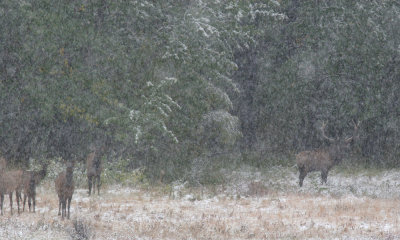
(171, 84)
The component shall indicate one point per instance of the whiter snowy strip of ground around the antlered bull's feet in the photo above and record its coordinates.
(364, 183)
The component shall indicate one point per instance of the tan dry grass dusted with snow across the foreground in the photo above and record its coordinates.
(136, 214)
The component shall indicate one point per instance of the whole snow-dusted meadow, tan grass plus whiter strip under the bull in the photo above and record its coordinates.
(251, 205)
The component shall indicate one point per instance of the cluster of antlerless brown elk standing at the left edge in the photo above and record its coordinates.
(25, 181)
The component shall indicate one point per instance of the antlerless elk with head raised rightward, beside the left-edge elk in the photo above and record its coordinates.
(29, 182)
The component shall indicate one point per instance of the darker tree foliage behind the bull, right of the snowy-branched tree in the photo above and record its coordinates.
(330, 61)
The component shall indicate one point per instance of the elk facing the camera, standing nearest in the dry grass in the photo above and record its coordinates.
(65, 189)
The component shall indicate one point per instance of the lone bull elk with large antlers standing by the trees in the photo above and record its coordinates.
(324, 159)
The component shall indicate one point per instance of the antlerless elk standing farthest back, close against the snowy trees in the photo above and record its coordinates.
(94, 168)
